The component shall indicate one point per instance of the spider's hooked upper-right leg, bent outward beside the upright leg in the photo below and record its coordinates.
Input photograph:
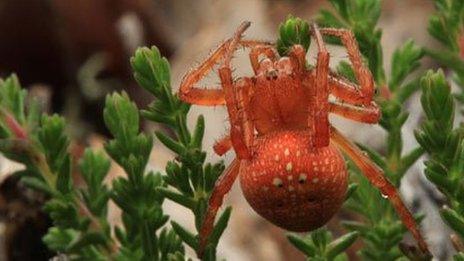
(365, 92)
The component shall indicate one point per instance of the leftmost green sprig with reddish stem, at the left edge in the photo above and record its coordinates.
(42, 145)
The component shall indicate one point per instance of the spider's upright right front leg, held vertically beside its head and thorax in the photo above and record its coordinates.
(318, 112)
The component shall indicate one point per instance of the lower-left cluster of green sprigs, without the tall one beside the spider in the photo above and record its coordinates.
(80, 225)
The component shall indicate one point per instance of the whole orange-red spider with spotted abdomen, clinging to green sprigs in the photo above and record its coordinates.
(291, 170)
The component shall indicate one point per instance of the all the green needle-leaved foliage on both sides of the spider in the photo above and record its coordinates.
(81, 229)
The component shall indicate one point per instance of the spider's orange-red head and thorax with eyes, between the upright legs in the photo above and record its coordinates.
(274, 107)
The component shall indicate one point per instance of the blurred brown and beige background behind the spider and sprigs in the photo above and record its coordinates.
(71, 53)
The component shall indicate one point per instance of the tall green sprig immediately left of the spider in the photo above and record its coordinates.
(189, 177)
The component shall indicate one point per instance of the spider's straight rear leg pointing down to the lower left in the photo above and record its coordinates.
(221, 188)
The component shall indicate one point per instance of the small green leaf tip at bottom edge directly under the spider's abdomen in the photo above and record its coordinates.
(319, 246)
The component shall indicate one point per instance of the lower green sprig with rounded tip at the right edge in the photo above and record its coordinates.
(445, 145)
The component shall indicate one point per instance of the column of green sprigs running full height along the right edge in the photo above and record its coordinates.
(439, 135)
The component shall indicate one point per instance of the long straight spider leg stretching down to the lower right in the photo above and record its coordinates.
(376, 177)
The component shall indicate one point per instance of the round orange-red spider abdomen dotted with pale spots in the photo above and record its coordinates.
(292, 185)
